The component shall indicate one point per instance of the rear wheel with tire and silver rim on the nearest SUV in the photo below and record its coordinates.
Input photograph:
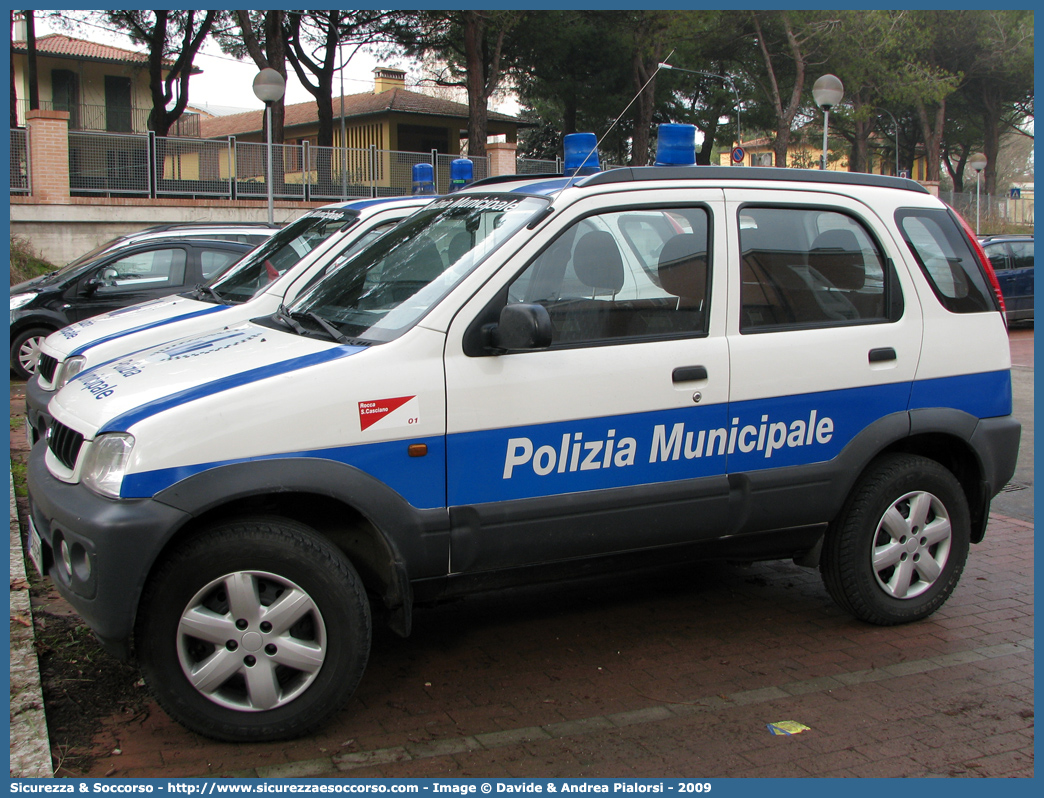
(873, 567)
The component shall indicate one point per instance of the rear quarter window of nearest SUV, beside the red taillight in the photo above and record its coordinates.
(946, 261)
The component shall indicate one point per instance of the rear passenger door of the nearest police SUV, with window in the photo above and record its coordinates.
(822, 341)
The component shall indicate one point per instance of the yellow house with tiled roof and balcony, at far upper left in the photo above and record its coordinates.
(102, 87)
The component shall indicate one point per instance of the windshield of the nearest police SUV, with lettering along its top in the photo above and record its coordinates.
(389, 287)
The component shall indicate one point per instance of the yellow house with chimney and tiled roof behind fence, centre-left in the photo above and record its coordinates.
(391, 118)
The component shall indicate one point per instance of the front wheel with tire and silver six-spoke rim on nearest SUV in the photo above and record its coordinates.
(209, 651)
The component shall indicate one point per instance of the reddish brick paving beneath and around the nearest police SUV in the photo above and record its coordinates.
(675, 673)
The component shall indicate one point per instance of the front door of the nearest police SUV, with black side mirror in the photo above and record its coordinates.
(612, 438)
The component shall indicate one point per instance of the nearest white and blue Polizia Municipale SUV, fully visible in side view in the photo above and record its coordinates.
(524, 379)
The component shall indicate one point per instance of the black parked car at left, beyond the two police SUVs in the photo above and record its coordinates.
(133, 271)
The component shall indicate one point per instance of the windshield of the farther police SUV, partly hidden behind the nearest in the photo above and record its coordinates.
(260, 268)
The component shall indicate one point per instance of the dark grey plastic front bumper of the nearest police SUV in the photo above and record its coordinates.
(111, 546)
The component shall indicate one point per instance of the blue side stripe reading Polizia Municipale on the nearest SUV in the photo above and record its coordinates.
(618, 452)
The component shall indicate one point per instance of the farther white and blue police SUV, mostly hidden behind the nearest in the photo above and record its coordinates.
(268, 277)
